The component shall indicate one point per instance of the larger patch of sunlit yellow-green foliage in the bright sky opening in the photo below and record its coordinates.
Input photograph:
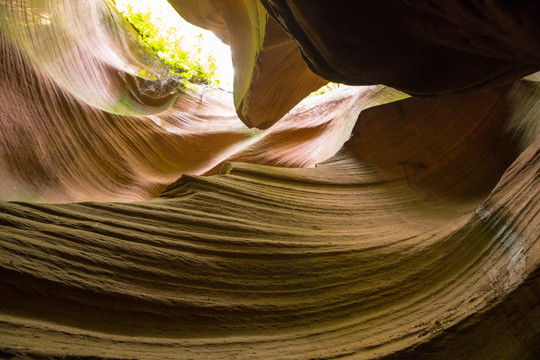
(187, 65)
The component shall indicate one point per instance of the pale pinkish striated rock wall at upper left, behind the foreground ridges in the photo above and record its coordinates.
(120, 137)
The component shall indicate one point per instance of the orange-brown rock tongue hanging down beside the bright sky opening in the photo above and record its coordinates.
(270, 76)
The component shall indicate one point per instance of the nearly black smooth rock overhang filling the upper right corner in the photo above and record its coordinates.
(420, 47)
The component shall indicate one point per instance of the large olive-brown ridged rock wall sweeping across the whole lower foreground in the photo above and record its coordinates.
(347, 259)
